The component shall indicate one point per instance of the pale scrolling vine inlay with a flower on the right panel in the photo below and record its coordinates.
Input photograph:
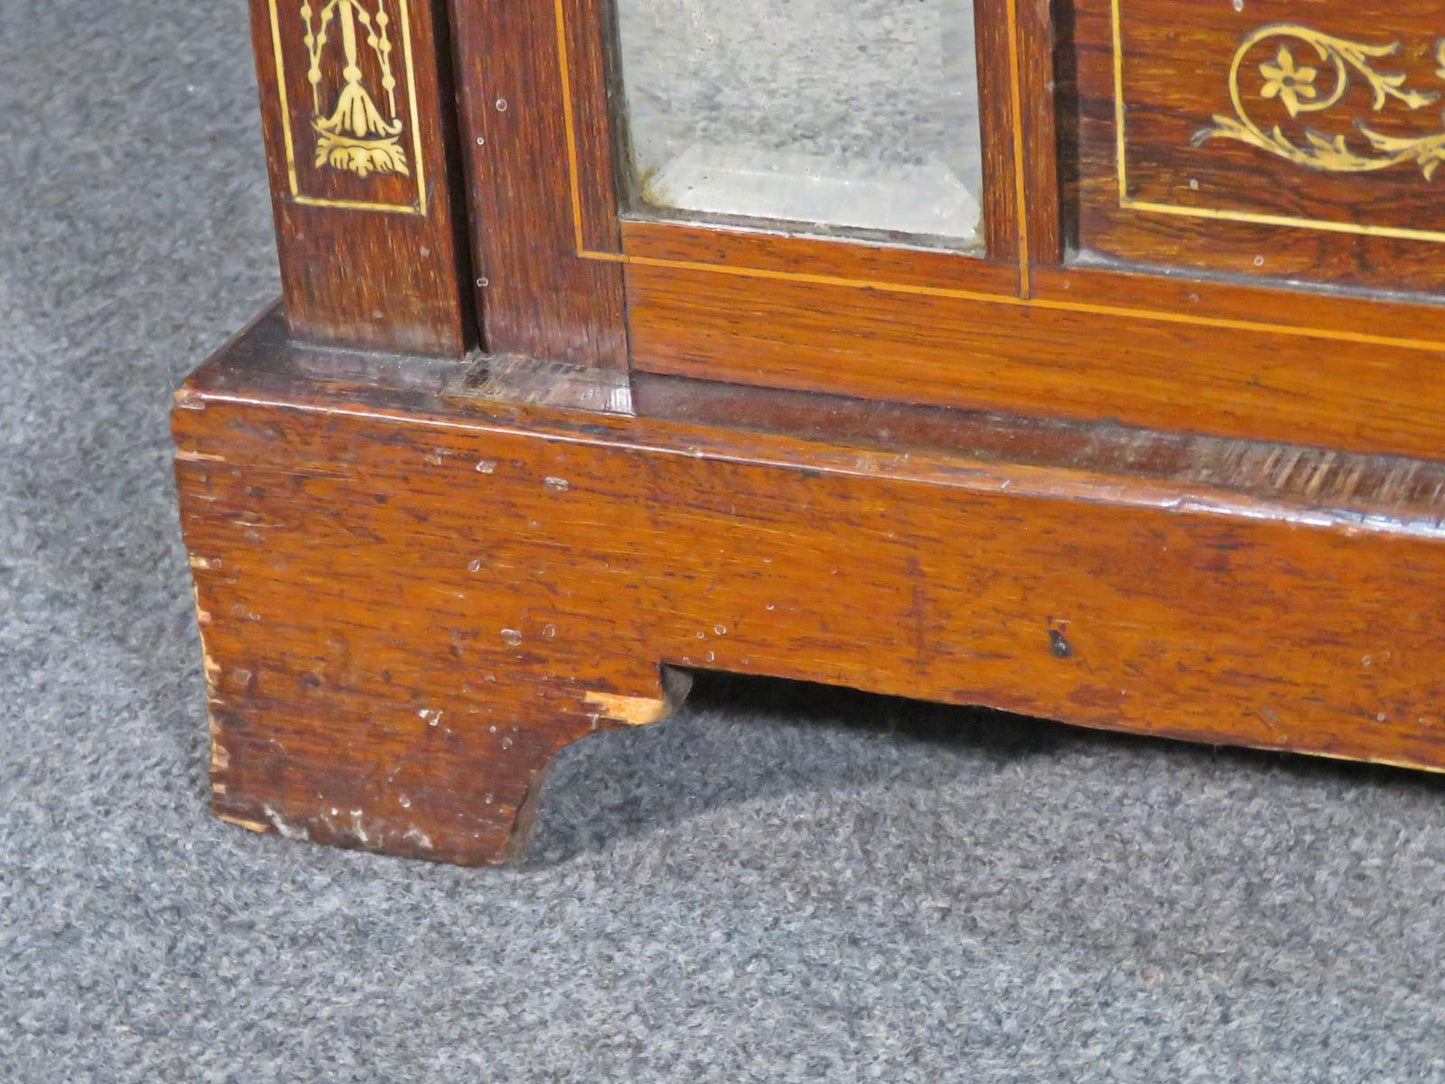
(1297, 87)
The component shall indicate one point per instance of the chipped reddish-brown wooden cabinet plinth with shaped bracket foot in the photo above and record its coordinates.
(417, 580)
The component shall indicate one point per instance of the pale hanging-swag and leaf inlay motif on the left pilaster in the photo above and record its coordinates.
(355, 137)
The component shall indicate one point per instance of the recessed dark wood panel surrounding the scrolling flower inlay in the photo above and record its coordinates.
(1176, 66)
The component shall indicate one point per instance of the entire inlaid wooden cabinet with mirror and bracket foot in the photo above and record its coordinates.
(1077, 359)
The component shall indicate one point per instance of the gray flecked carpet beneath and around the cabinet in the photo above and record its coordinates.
(784, 884)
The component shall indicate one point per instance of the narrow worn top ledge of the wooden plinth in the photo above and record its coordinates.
(1038, 457)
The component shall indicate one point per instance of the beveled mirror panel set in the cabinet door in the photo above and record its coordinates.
(827, 116)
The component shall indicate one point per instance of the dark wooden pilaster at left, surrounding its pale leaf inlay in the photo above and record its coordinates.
(398, 278)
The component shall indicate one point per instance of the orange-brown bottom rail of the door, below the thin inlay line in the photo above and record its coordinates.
(1251, 382)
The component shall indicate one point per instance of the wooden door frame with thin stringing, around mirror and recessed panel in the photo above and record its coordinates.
(571, 277)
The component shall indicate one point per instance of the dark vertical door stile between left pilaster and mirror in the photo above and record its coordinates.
(541, 297)
